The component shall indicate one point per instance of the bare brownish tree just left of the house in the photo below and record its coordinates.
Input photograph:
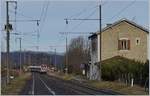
(78, 53)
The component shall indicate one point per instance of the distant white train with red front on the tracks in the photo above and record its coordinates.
(41, 69)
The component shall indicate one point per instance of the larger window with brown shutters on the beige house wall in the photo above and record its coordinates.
(124, 44)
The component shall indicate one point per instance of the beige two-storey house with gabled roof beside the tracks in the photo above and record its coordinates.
(122, 38)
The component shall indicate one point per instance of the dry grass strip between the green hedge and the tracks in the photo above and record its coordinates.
(118, 87)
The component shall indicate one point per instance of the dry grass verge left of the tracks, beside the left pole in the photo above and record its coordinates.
(16, 85)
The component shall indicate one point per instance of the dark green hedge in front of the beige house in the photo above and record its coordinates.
(123, 69)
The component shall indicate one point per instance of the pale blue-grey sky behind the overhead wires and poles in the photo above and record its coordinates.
(57, 11)
